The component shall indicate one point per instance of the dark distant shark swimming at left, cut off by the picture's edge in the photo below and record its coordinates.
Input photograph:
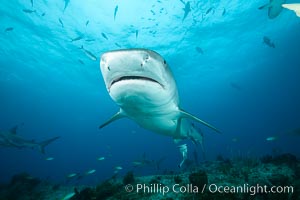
(11, 139)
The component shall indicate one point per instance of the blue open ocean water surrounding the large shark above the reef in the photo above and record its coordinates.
(225, 75)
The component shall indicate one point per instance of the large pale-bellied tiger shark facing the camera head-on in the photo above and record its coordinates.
(142, 85)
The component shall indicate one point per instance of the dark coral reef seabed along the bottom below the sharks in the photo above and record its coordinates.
(201, 183)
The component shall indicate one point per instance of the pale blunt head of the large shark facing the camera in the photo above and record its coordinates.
(137, 76)
